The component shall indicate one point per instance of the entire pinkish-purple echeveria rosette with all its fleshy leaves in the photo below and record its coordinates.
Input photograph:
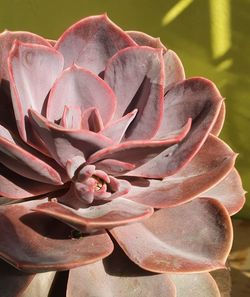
(103, 143)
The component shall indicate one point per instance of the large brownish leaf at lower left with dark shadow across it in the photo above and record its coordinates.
(35, 243)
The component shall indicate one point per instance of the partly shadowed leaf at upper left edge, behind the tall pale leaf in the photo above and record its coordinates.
(7, 38)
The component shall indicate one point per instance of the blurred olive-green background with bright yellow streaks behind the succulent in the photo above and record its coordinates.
(210, 36)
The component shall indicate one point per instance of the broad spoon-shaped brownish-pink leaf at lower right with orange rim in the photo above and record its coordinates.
(193, 237)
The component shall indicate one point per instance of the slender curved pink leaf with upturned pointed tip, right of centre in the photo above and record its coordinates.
(138, 152)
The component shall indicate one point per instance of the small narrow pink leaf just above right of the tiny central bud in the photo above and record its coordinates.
(114, 167)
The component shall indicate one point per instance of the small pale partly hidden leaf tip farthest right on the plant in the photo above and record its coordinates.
(229, 192)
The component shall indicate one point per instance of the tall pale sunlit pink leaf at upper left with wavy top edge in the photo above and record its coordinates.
(33, 70)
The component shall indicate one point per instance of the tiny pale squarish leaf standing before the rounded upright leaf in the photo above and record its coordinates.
(71, 118)
